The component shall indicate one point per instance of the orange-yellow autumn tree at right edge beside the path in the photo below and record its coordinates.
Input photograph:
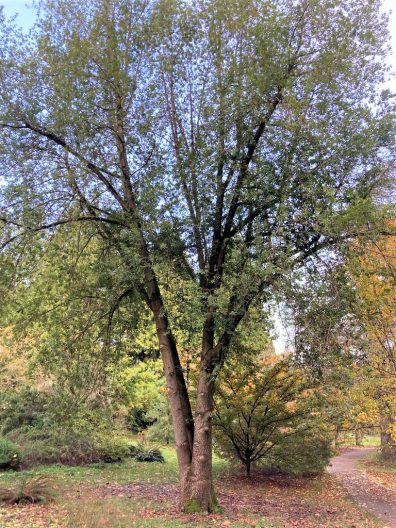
(373, 268)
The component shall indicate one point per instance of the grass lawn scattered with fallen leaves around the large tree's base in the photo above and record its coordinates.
(145, 495)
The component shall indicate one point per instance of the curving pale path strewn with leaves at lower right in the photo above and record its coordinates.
(377, 499)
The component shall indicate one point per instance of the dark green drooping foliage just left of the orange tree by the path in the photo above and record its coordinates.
(325, 295)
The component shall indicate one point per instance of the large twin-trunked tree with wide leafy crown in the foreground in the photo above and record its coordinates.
(229, 141)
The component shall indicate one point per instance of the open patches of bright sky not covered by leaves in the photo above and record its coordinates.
(26, 16)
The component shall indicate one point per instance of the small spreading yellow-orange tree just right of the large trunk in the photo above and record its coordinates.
(264, 411)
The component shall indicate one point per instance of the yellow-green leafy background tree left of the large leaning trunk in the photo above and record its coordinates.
(70, 308)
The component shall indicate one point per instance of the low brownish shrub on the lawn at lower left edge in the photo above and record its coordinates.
(28, 491)
